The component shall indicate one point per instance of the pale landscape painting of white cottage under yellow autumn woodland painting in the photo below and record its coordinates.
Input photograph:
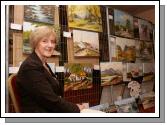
(85, 43)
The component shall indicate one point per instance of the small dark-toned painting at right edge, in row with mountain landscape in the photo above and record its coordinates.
(148, 71)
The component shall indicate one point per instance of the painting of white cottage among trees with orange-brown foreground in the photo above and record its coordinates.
(78, 76)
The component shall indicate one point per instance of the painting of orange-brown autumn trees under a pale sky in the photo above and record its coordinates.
(125, 50)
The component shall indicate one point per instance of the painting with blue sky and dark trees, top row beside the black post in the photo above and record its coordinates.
(123, 23)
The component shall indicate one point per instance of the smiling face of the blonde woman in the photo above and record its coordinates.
(46, 46)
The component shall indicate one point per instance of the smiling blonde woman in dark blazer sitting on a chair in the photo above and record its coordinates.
(38, 87)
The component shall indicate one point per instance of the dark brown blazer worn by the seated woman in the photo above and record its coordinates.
(39, 90)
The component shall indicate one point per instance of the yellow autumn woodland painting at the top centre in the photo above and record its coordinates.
(87, 17)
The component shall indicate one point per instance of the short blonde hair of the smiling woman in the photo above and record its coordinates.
(39, 33)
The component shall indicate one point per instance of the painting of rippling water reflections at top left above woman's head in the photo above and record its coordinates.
(39, 13)
